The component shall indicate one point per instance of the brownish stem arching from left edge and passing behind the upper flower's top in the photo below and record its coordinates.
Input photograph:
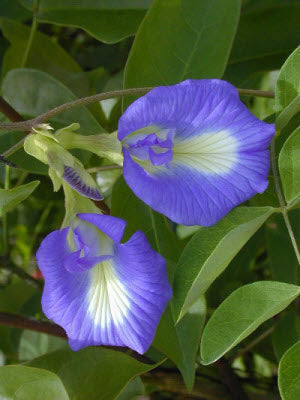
(29, 124)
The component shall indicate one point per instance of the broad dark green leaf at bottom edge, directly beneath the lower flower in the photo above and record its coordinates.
(93, 373)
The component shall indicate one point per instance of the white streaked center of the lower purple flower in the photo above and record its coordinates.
(108, 299)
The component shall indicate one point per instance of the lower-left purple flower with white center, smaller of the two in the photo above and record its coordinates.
(101, 291)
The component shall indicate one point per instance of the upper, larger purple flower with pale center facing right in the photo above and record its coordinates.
(193, 151)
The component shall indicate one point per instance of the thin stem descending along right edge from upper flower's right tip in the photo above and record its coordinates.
(282, 201)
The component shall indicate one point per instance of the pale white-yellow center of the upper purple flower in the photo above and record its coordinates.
(210, 153)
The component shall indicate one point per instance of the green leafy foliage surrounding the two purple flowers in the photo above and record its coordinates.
(232, 329)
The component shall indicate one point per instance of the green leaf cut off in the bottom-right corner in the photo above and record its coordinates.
(289, 374)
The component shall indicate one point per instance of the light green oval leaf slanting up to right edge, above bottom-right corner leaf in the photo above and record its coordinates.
(241, 313)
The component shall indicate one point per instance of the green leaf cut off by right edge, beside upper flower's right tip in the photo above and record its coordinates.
(289, 167)
